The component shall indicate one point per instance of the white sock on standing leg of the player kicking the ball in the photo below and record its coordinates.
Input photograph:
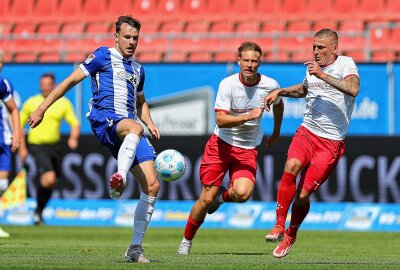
(144, 211)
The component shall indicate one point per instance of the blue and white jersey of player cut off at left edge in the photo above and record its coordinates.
(6, 90)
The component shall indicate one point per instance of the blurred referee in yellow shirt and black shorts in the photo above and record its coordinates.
(44, 141)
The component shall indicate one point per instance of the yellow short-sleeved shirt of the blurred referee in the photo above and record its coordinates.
(48, 132)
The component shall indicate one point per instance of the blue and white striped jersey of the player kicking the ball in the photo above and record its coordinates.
(115, 83)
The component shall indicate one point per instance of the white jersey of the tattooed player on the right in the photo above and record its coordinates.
(328, 111)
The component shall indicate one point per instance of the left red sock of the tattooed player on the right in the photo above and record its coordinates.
(286, 192)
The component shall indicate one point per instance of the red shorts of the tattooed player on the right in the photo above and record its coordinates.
(318, 157)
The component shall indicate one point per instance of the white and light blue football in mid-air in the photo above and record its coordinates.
(170, 165)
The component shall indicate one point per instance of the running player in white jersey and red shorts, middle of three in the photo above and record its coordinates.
(239, 107)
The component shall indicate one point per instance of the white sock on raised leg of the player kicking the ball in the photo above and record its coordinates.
(126, 153)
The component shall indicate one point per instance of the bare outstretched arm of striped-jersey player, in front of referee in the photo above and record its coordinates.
(73, 79)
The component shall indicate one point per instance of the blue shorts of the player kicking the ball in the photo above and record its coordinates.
(108, 136)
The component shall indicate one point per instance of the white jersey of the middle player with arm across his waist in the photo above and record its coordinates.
(236, 98)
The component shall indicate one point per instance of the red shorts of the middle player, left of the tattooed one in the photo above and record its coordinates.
(219, 157)
